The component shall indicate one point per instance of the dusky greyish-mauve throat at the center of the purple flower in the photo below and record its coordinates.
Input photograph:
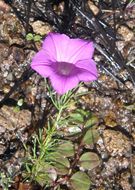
(64, 68)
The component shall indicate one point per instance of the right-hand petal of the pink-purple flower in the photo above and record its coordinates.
(87, 66)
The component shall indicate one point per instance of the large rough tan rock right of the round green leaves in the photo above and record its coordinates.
(116, 143)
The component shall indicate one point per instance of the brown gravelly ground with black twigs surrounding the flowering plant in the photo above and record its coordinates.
(111, 99)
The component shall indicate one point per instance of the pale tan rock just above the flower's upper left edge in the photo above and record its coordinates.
(41, 28)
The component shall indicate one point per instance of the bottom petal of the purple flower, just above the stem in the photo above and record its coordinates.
(63, 84)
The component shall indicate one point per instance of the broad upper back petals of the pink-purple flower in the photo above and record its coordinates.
(65, 49)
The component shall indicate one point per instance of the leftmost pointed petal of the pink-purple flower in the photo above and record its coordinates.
(42, 64)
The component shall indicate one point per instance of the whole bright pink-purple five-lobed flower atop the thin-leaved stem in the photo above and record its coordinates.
(65, 61)
